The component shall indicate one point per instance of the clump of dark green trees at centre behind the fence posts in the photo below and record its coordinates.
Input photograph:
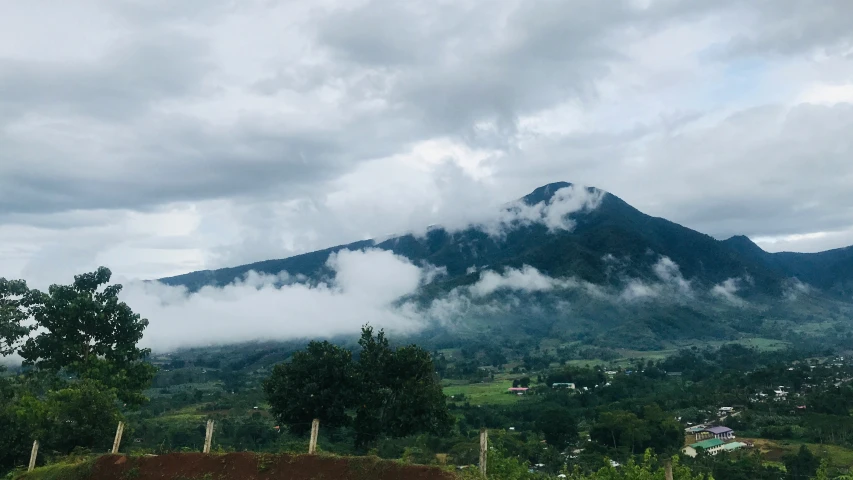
(391, 392)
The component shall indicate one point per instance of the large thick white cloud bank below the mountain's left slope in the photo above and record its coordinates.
(364, 290)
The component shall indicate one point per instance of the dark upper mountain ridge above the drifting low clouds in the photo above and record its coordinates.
(612, 228)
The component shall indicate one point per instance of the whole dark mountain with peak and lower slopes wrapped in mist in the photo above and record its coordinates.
(701, 287)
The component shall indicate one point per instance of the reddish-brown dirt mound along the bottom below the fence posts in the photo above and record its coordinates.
(251, 466)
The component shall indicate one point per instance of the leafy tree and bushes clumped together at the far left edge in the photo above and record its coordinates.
(81, 365)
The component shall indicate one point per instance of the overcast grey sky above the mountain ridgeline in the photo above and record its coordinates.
(158, 137)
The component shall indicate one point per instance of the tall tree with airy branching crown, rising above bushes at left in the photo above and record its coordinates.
(86, 330)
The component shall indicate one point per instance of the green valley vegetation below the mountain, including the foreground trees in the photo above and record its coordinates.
(586, 405)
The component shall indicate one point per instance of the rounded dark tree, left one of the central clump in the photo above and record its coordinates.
(317, 383)
